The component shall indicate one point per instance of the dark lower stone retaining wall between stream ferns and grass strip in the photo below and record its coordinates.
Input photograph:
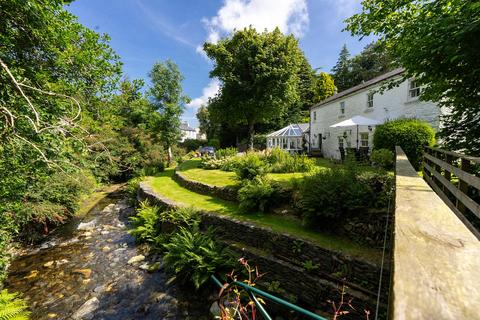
(282, 257)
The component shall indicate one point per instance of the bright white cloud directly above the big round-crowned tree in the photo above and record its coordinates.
(290, 16)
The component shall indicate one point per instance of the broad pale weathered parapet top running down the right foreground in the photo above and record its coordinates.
(436, 259)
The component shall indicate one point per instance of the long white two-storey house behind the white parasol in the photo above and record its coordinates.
(365, 100)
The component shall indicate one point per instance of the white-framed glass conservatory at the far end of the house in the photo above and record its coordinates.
(292, 138)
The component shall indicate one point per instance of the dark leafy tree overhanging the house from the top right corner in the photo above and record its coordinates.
(437, 44)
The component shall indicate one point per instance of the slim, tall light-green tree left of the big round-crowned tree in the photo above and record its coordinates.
(166, 94)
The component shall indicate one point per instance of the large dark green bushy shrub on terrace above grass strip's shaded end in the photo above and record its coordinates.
(329, 193)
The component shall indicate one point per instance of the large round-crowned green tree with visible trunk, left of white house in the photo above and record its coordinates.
(259, 75)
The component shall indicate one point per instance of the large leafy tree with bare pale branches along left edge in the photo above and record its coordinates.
(54, 74)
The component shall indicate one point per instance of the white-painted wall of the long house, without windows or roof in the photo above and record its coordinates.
(392, 104)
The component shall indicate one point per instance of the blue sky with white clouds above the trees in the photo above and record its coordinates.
(145, 31)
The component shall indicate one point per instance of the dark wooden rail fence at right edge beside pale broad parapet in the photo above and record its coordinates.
(450, 175)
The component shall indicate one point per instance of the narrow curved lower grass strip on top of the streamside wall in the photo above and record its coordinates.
(167, 187)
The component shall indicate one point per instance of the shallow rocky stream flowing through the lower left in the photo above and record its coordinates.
(91, 268)
